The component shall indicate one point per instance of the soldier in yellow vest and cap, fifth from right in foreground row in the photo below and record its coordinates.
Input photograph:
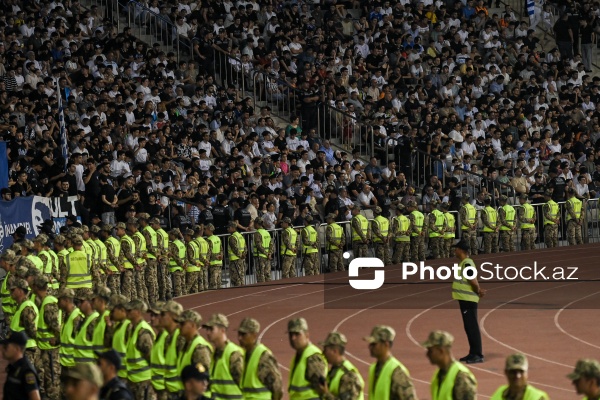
(343, 379)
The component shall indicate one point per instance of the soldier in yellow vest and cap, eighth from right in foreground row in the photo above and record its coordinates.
(227, 367)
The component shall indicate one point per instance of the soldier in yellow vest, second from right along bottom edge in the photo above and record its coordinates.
(518, 388)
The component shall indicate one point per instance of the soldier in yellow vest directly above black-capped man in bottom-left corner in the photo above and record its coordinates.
(25, 318)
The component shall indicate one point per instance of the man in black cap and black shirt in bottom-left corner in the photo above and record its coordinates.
(22, 378)
